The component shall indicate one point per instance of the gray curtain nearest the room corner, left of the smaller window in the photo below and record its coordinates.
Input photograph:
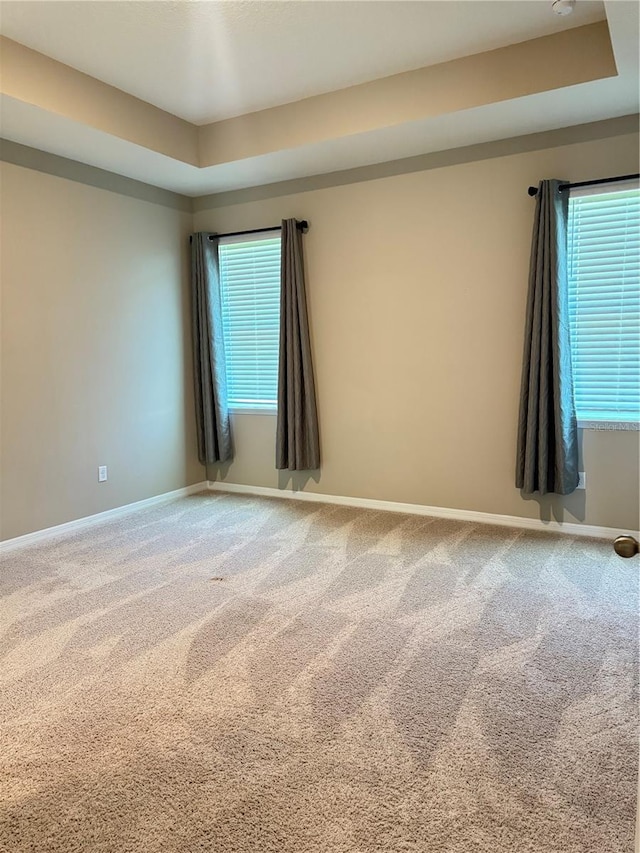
(212, 416)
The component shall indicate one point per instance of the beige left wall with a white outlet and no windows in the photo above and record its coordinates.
(95, 351)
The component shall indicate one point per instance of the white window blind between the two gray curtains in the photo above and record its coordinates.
(250, 284)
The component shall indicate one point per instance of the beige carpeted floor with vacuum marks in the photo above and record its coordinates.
(243, 675)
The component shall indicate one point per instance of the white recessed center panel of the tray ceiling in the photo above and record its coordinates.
(205, 61)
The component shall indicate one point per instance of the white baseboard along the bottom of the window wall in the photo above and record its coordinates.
(418, 509)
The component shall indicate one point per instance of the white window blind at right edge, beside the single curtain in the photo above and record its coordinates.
(604, 302)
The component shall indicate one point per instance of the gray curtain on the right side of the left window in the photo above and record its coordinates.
(297, 442)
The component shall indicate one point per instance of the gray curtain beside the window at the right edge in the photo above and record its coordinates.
(547, 456)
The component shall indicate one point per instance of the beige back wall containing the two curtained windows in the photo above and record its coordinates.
(417, 287)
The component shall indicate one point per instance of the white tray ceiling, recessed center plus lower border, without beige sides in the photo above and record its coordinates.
(209, 60)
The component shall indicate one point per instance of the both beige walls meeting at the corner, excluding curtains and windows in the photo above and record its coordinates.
(417, 290)
